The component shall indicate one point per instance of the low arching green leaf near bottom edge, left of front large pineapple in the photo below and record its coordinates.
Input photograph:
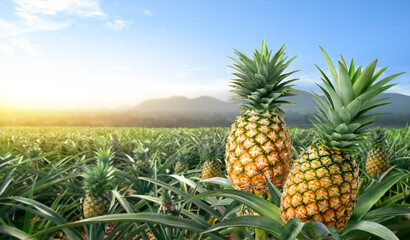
(264, 223)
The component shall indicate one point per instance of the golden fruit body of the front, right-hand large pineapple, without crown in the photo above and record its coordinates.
(322, 186)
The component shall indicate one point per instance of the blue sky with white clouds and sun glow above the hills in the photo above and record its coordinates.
(89, 53)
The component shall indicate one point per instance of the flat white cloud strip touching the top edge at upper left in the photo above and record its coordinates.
(84, 8)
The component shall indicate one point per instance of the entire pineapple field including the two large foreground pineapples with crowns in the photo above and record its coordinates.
(259, 179)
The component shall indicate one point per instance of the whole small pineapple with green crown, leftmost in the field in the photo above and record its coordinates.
(97, 184)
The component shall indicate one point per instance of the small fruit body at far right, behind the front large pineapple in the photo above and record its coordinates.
(377, 158)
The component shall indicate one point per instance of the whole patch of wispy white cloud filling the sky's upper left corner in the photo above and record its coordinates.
(37, 15)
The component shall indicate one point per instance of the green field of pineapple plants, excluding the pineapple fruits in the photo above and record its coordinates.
(156, 190)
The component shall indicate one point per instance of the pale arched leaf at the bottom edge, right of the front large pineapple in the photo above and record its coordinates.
(369, 227)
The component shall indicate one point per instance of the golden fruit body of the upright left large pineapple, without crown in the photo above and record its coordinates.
(259, 145)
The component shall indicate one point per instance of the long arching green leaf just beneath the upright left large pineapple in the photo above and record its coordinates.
(258, 204)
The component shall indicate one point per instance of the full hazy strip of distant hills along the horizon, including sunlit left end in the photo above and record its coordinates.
(203, 111)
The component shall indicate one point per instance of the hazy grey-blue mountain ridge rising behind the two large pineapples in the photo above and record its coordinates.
(206, 108)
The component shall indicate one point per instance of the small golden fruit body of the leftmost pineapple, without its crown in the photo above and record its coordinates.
(95, 204)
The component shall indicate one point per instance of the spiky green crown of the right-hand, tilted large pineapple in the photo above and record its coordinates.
(343, 111)
